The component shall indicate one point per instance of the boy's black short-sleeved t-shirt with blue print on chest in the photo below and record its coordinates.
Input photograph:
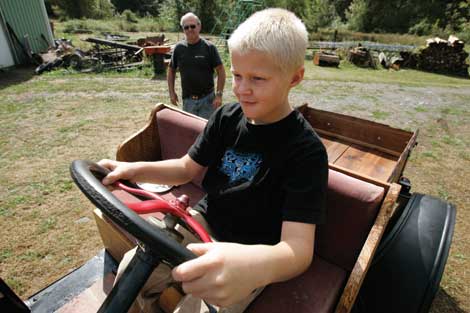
(260, 175)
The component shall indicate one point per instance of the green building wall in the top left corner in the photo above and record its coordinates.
(29, 21)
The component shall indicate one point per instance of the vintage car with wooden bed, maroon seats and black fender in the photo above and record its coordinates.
(383, 248)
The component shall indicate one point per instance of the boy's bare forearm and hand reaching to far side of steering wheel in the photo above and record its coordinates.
(169, 172)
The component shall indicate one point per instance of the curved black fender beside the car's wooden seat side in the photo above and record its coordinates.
(408, 265)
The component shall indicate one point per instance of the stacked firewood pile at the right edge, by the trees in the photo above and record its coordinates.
(440, 56)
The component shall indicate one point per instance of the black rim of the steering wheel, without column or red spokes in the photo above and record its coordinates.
(87, 176)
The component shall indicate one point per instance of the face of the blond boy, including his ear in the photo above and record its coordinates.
(261, 87)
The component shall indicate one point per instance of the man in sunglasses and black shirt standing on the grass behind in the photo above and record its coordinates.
(196, 60)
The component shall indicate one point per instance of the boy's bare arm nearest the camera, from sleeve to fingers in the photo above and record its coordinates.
(225, 273)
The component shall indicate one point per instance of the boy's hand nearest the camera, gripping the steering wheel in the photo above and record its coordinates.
(224, 274)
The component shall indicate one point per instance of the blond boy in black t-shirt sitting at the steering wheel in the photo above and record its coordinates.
(266, 178)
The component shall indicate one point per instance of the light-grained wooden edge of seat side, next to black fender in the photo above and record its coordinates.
(364, 260)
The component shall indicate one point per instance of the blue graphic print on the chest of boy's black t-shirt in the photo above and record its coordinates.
(240, 167)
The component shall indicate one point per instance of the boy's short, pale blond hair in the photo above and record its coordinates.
(277, 32)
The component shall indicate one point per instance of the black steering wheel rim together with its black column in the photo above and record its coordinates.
(155, 244)
